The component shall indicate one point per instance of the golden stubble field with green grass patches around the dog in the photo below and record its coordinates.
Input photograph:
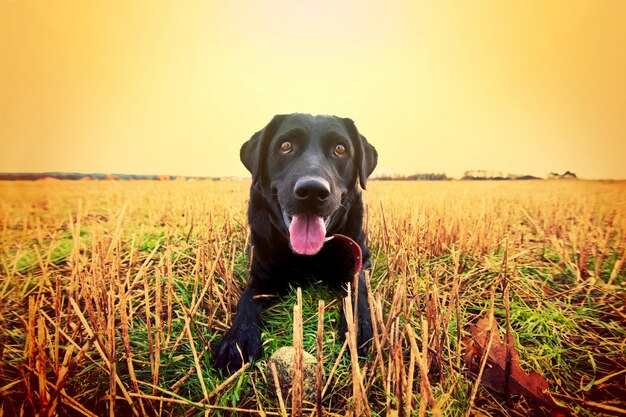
(114, 293)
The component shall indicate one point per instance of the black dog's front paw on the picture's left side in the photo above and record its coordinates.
(240, 345)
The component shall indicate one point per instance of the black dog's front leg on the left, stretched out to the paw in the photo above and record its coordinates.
(242, 342)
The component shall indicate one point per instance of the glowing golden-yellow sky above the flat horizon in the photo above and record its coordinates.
(147, 87)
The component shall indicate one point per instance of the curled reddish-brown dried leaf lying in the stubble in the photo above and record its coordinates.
(529, 385)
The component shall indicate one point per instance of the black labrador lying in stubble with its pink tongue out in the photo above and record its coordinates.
(306, 171)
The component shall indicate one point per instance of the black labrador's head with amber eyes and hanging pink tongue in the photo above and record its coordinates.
(308, 164)
